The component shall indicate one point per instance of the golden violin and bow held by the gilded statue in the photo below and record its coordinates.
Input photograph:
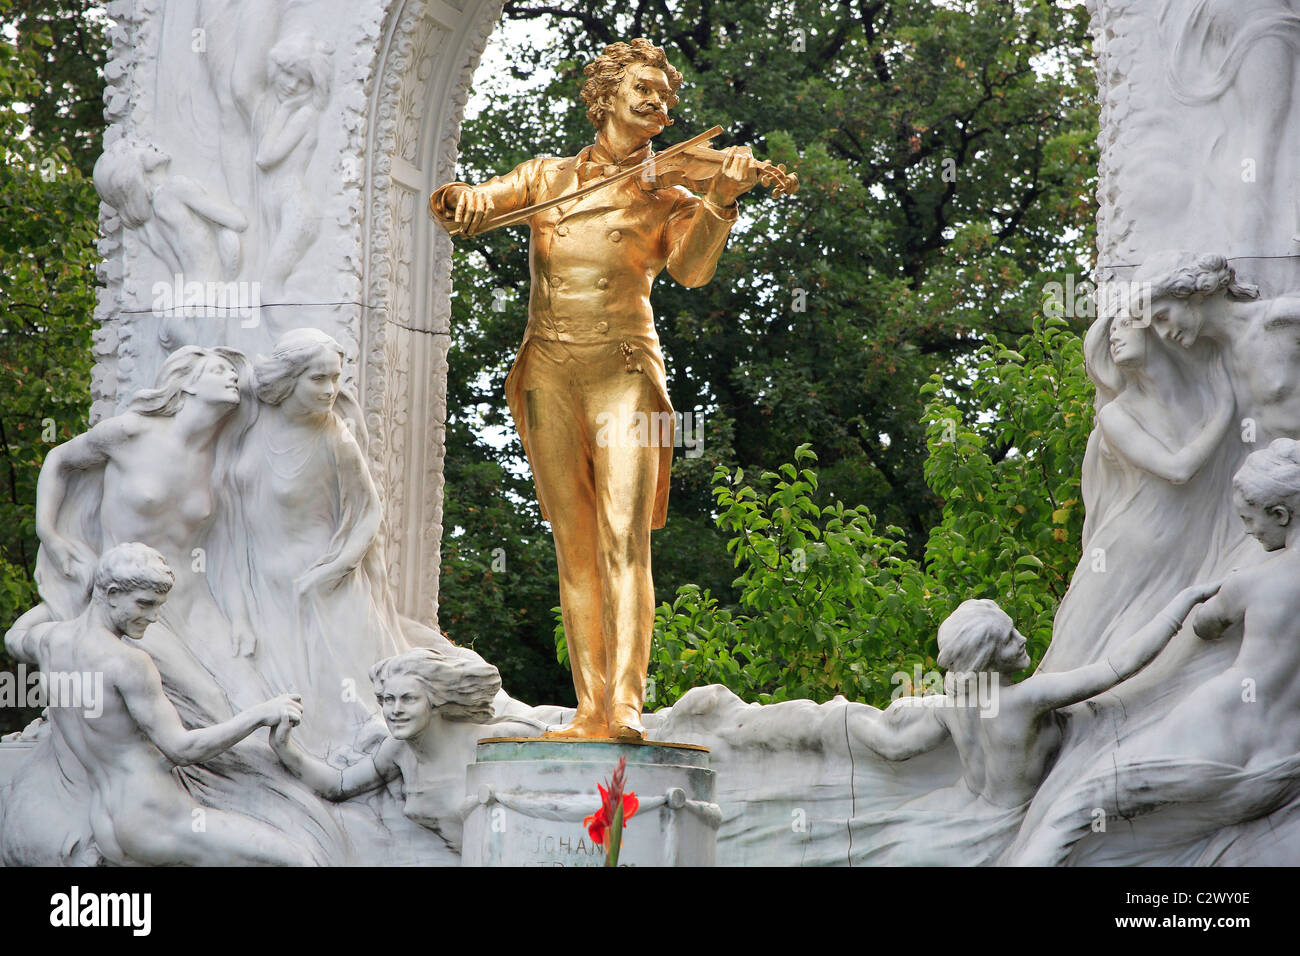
(691, 165)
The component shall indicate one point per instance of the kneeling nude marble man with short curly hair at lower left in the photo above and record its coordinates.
(140, 811)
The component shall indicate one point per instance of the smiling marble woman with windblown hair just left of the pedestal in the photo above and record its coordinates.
(437, 710)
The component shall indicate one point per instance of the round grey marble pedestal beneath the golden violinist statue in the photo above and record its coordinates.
(527, 801)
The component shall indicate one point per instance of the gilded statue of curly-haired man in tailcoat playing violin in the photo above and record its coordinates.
(591, 377)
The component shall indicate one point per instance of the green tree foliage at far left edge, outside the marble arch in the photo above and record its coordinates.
(47, 297)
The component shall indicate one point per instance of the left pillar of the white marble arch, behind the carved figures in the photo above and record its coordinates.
(378, 278)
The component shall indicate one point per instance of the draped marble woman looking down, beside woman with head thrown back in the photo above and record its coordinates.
(296, 552)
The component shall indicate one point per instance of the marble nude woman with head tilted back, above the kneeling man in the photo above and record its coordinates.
(149, 474)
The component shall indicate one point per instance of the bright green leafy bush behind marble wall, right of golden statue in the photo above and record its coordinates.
(831, 603)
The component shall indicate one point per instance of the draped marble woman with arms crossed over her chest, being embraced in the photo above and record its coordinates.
(1155, 468)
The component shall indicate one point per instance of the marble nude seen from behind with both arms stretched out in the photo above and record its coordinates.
(1007, 736)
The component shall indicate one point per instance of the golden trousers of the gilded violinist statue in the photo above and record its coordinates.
(593, 444)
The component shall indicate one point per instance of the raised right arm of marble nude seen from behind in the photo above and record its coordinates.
(1051, 691)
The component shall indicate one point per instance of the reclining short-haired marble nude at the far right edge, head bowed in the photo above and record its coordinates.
(1232, 746)
